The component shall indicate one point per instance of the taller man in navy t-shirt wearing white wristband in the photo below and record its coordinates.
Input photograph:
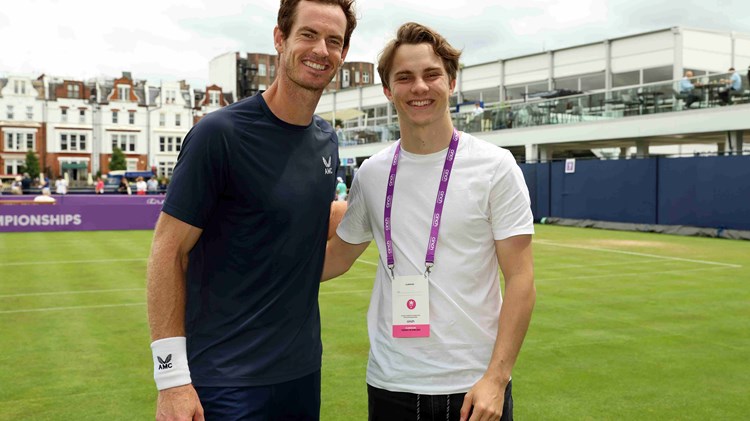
(238, 250)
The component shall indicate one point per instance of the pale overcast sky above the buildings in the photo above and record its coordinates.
(173, 40)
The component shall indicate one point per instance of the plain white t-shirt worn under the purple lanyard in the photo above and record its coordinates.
(487, 200)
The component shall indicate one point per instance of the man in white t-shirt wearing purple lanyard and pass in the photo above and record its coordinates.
(446, 210)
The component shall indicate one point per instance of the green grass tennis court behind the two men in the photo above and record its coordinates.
(627, 325)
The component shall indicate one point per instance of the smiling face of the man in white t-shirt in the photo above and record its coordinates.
(419, 85)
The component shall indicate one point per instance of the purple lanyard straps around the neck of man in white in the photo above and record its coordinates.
(439, 201)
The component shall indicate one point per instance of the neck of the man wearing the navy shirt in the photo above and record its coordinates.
(290, 103)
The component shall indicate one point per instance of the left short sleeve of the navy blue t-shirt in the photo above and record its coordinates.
(200, 174)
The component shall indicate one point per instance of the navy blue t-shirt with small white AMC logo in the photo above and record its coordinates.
(261, 190)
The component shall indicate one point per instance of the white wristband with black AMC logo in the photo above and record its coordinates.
(170, 362)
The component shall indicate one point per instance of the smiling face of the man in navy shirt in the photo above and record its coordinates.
(311, 54)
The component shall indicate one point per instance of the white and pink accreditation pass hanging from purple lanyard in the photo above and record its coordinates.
(411, 307)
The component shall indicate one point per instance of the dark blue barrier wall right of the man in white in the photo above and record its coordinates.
(702, 192)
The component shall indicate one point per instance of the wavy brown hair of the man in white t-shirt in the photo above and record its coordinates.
(414, 33)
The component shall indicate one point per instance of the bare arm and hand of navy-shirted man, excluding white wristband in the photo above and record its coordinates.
(173, 240)
